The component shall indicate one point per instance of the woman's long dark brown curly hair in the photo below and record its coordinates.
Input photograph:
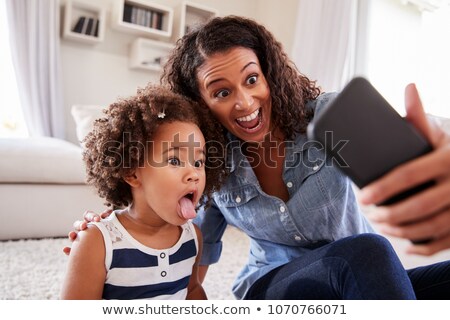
(290, 90)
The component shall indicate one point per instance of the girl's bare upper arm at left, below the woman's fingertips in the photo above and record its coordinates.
(86, 273)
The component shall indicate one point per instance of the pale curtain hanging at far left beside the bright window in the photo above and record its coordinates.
(34, 37)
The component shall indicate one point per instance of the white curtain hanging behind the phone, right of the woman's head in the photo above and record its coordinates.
(330, 40)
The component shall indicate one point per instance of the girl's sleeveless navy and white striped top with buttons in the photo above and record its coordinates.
(135, 271)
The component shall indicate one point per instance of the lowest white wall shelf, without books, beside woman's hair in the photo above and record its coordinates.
(150, 55)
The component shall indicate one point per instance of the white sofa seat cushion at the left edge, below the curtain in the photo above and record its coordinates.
(41, 160)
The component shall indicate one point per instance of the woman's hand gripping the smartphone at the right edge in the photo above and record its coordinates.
(425, 215)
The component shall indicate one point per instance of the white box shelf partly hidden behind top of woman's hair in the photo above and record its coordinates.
(190, 14)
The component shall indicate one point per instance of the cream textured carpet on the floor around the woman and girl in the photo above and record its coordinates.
(34, 269)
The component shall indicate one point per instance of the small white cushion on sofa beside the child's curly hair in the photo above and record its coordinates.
(84, 116)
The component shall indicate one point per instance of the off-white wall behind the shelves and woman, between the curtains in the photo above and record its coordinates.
(99, 73)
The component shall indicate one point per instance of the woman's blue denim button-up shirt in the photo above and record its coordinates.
(321, 208)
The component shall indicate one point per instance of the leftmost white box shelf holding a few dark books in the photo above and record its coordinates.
(76, 22)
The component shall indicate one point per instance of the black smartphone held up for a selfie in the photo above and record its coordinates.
(366, 137)
